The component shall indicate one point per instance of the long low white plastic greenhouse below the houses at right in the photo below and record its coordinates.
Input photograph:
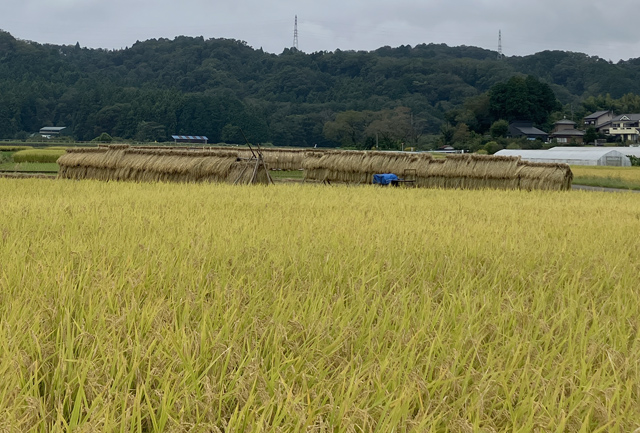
(597, 156)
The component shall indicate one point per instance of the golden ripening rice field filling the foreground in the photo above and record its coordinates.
(299, 308)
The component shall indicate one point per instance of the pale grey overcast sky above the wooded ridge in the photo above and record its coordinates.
(594, 27)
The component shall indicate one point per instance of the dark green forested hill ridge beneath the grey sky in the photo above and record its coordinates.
(214, 87)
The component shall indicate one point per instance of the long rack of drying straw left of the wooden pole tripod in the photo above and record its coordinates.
(155, 164)
